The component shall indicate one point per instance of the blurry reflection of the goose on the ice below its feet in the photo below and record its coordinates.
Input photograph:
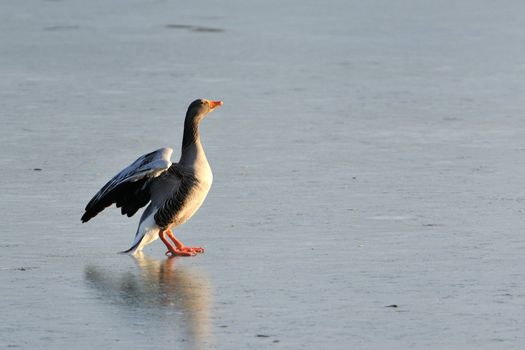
(178, 296)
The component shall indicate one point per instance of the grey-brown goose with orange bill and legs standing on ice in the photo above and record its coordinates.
(175, 191)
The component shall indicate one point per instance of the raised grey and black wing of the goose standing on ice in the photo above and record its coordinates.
(129, 189)
